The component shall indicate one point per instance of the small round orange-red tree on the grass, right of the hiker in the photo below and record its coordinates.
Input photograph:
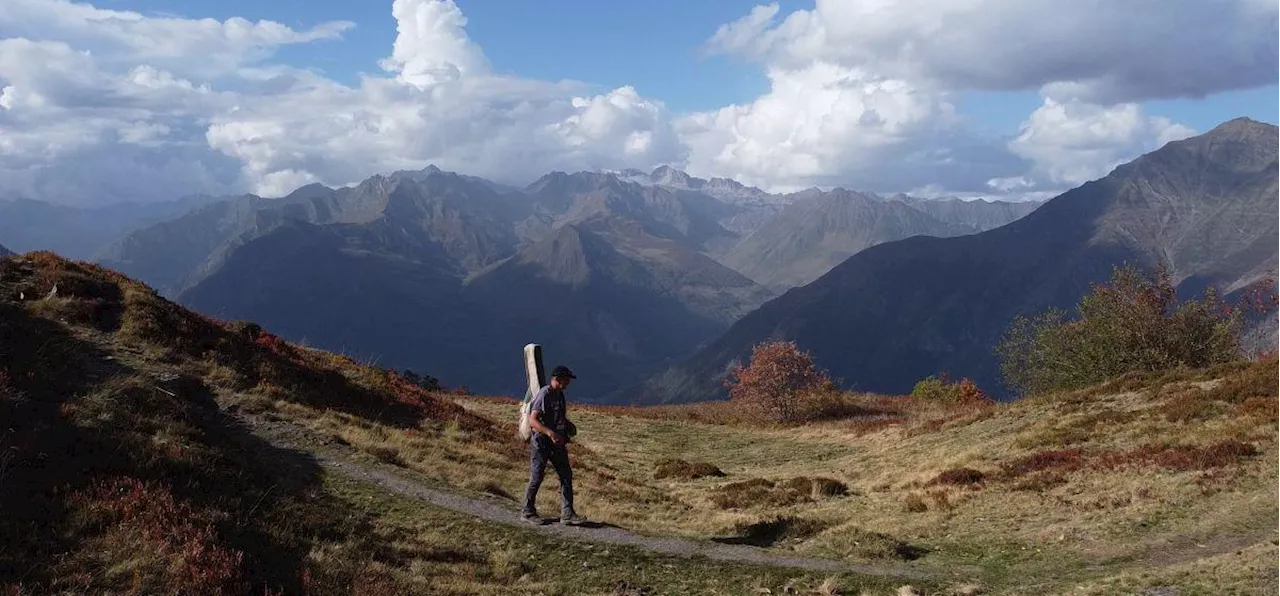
(780, 384)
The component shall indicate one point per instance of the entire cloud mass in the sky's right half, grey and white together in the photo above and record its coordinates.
(865, 89)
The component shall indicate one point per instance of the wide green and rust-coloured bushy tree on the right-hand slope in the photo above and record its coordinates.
(1133, 324)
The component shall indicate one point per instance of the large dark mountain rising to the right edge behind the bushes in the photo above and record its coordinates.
(900, 311)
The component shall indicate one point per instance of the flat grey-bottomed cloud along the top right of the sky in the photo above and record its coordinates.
(1110, 52)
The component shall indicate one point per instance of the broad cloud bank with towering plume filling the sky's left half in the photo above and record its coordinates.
(94, 84)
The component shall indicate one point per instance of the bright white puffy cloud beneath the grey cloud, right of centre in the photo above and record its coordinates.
(816, 122)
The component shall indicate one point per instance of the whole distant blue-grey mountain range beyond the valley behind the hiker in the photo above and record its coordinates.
(623, 273)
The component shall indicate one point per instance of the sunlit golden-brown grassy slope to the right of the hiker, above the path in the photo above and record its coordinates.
(1105, 490)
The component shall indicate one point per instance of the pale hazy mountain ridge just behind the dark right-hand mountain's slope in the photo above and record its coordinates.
(821, 230)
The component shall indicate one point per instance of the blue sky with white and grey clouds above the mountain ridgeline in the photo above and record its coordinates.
(150, 100)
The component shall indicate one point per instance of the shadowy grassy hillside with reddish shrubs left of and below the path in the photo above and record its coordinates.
(125, 471)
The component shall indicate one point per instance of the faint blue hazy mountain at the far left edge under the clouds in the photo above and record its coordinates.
(79, 232)
